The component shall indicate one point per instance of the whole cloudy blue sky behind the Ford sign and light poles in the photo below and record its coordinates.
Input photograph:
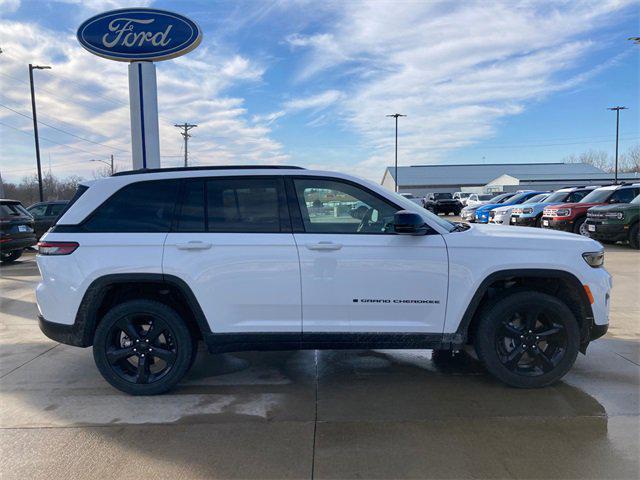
(309, 83)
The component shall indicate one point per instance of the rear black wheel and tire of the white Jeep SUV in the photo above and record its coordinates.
(137, 336)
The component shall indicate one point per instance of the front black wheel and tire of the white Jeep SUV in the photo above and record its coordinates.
(528, 339)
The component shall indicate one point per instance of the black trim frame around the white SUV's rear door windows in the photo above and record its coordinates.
(283, 207)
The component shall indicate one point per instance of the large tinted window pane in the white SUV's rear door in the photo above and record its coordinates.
(244, 205)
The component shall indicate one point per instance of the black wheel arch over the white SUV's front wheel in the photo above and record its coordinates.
(559, 283)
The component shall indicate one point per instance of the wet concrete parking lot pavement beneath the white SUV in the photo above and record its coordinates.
(328, 414)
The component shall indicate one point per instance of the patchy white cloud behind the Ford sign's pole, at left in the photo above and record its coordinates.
(88, 96)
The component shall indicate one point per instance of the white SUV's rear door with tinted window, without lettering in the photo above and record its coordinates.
(232, 244)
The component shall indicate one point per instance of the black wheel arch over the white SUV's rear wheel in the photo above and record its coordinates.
(109, 290)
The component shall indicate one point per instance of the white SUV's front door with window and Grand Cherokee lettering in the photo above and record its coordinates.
(357, 274)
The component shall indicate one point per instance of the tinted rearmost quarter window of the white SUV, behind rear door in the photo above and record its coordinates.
(138, 207)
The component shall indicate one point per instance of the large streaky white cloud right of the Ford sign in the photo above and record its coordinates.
(457, 69)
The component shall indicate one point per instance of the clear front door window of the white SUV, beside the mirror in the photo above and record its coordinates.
(332, 206)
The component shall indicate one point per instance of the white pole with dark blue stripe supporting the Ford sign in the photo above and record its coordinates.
(143, 100)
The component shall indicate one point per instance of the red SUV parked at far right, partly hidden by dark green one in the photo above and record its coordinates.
(571, 217)
